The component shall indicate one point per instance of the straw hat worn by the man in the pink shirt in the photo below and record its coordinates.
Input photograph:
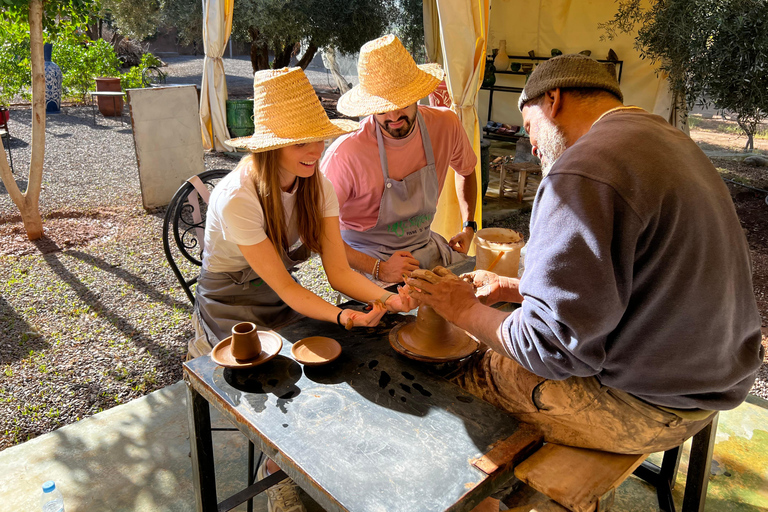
(389, 79)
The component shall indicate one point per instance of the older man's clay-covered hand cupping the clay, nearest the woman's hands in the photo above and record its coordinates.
(448, 295)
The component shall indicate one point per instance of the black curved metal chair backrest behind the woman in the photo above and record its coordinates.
(184, 227)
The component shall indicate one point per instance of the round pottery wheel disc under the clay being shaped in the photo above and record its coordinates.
(457, 346)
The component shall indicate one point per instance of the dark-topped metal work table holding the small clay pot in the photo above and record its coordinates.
(371, 431)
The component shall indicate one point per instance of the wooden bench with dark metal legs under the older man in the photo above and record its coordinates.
(583, 480)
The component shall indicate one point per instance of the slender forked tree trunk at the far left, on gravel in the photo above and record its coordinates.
(29, 201)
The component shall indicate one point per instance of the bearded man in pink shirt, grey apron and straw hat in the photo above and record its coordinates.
(389, 174)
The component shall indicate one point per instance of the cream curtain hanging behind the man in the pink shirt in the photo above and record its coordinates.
(461, 37)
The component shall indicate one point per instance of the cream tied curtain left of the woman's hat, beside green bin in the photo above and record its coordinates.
(217, 25)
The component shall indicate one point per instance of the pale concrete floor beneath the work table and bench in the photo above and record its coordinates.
(135, 457)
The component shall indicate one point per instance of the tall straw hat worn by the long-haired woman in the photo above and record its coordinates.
(286, 111)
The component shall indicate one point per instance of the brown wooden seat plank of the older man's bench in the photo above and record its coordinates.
(577, 478)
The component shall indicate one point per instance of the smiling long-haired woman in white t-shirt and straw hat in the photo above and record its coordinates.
(274, 198)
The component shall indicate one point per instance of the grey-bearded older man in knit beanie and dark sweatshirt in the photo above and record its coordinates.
(638, 318)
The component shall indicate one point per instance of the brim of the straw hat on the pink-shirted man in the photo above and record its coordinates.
(357, 102)
